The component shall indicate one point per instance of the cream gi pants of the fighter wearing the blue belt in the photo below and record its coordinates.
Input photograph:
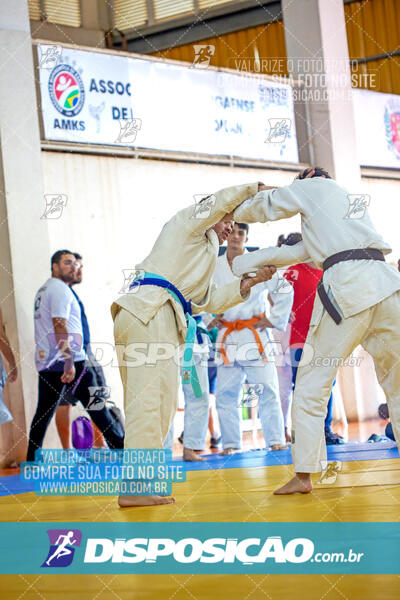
(150, 389)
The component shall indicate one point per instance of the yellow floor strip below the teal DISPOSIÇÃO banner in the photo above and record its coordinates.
(200, 587)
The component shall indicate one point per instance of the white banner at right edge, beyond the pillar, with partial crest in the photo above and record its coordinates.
(377, 119)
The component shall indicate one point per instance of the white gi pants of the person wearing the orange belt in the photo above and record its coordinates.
(229, 382)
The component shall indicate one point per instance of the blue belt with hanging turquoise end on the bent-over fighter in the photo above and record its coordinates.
(189, 373)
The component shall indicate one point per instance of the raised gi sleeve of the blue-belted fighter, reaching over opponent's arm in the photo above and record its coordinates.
(206, 213)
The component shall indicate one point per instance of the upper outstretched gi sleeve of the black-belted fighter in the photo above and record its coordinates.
(272, 205)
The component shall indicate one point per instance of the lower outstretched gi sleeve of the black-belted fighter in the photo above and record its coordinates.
(284, 256)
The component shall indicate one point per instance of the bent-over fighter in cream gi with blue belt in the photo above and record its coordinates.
(150, 324)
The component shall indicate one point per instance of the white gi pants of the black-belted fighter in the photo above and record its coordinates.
(377, 329)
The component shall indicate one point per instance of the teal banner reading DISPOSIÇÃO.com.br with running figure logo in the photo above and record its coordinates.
(200, 548)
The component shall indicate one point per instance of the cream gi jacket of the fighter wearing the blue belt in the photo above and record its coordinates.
(185, 254)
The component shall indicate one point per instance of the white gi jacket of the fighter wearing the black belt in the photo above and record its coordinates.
(328, 226)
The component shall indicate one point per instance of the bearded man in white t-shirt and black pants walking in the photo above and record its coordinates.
(60, 356)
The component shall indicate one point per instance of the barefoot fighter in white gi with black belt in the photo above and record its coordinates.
(359, 302)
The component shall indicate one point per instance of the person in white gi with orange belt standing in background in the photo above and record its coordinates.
(248, 351)
